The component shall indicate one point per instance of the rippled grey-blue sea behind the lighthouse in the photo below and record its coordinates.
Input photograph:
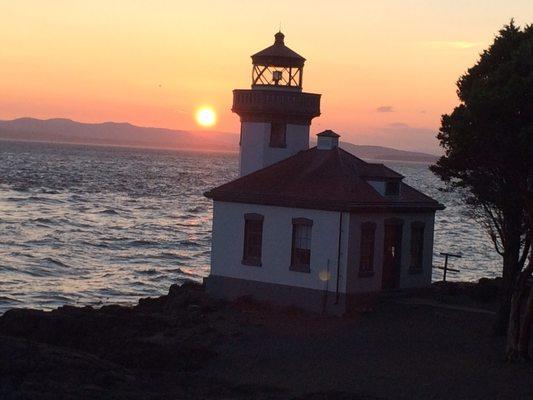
(89, 225)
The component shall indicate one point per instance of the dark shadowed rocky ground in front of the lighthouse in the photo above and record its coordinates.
(185, 345)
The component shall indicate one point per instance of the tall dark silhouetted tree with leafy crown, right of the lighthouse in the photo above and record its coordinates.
(487, 141)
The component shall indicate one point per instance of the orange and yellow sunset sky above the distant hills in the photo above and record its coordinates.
(386, 69)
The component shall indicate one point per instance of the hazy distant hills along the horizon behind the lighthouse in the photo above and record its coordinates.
(125, 134)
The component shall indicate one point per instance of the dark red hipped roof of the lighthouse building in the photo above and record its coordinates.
(323, 180)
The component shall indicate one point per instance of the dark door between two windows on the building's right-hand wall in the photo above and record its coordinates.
(392, 249)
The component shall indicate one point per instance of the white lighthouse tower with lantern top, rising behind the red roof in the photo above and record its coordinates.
(275, 114)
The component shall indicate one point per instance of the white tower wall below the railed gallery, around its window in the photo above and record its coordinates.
(255, 150)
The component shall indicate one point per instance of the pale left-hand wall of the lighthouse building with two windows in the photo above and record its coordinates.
(228, 239)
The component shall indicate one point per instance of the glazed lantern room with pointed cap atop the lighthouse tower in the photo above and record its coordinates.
(277, 67)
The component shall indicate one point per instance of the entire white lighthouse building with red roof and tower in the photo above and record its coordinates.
(314, 227)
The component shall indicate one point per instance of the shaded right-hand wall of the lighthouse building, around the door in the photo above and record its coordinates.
(356, 284)
